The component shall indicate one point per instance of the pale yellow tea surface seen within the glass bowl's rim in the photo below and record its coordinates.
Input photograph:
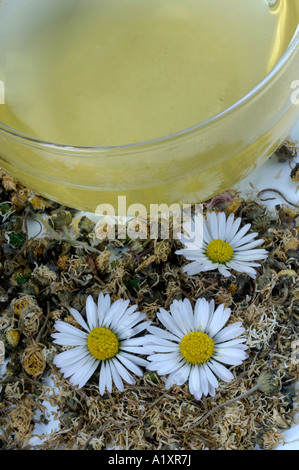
(116, 72)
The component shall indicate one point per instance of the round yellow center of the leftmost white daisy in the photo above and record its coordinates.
(102, 343)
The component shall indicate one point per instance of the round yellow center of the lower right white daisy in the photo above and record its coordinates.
(197, 347)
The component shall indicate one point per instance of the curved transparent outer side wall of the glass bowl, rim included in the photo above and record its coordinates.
(187, 167)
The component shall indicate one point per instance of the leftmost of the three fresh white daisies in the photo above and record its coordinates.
(107, 340)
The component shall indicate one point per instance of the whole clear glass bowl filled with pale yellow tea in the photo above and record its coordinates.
(92, 87)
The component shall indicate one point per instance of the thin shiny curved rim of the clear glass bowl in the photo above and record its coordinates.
(258, 89)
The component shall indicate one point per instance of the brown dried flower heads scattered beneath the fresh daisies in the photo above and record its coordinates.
(42, 277)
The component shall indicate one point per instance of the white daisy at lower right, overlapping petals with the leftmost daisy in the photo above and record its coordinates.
(195, 346)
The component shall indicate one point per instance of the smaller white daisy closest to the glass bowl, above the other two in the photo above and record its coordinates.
(222, 246)
